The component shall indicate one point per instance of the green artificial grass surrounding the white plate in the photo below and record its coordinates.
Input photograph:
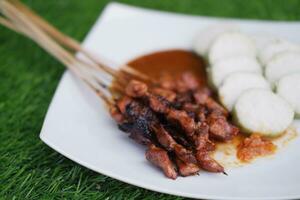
(28, 78)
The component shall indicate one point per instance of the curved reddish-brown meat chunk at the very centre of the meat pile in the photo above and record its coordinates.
(186, 122)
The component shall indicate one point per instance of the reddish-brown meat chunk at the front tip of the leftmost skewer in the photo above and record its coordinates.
(160, 158)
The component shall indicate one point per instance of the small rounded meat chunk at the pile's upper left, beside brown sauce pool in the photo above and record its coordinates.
(136, 89)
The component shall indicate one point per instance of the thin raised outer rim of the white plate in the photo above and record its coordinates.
(111, 6)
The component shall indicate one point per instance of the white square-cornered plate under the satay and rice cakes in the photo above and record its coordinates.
(78, 125)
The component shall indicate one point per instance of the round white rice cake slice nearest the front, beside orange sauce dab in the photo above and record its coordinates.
(263, 112)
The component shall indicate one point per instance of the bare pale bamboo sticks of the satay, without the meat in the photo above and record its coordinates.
(21, 19)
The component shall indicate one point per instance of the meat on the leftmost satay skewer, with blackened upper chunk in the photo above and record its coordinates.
(137, 121)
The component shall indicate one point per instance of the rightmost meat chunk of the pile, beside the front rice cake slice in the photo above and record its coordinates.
(220, 128)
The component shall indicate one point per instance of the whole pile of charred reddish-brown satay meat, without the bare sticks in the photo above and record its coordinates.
(177, 120)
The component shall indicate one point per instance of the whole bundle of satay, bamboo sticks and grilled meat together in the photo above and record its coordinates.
(176, 118)
